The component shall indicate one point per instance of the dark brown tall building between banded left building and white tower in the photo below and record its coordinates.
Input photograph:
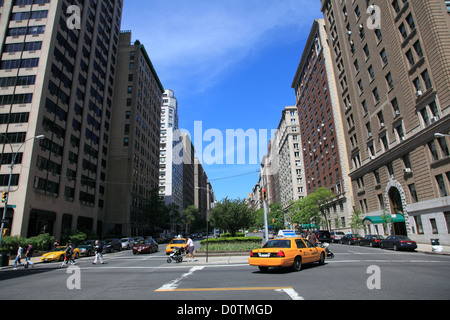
(133, 165)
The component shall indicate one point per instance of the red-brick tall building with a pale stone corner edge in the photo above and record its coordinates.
(322, 135)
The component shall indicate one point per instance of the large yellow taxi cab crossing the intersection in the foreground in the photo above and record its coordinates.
(286, 252)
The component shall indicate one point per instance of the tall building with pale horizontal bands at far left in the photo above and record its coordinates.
(57, 79)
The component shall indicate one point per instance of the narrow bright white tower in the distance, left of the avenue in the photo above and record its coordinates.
(171, 154)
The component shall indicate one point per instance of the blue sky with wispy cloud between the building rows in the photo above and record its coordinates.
(231, 64)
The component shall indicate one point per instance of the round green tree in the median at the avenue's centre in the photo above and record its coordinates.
(232, 215)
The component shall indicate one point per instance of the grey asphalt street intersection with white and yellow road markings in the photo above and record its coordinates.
(397, 275)
